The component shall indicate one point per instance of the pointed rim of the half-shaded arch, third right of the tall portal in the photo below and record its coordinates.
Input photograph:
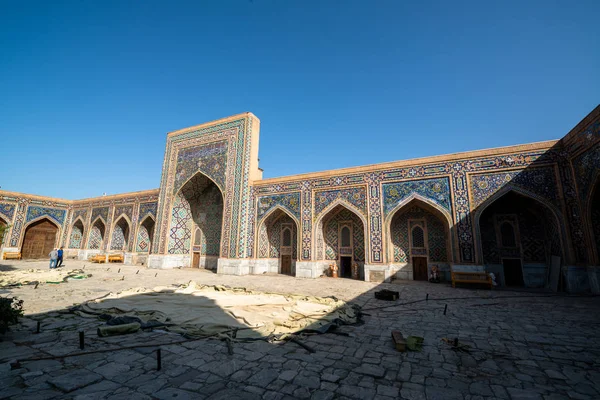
(428, 205)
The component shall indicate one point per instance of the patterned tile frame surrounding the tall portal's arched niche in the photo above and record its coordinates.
(230, 168)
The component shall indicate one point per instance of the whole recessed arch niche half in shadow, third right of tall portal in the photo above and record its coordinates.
(442, 242)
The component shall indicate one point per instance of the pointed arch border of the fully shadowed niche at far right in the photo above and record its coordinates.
(558, 217)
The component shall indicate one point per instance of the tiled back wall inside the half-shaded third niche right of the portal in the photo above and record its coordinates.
(437, 241)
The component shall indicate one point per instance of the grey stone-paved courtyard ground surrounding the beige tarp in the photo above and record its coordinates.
(520, 345)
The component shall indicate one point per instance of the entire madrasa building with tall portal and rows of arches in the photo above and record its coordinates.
(528, 213)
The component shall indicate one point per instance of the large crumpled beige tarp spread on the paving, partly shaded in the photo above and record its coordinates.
(206, 310)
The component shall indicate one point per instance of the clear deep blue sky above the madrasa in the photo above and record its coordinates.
(88, 89)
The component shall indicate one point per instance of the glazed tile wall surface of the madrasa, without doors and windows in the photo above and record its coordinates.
(452, 192)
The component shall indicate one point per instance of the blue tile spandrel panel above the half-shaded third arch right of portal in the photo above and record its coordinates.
(437, 190)
